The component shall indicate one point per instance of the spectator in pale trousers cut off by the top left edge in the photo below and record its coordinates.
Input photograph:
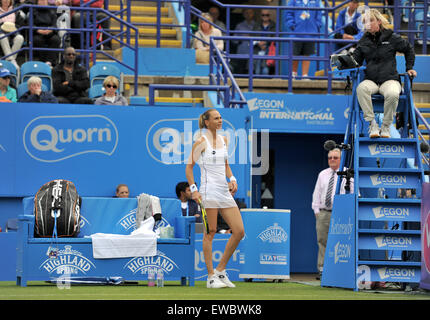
(8, 26)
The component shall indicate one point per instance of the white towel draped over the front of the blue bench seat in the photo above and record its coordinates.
(141, 242)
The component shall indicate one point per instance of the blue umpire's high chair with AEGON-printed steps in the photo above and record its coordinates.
(375, 233)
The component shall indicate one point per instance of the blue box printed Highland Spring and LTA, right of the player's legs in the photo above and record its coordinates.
(265, 250)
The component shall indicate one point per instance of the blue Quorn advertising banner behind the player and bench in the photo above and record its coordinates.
(99, 147)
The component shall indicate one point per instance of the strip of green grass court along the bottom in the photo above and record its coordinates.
(173, 291)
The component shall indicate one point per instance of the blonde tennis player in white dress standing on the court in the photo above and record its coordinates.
(210, 152)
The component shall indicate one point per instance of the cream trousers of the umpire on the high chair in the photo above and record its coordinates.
(390, 89)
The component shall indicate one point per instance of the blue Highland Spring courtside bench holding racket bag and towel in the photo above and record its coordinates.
(105, 215)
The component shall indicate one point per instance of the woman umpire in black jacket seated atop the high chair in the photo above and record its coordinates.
(377, 49)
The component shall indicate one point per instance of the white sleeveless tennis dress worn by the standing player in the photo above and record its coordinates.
(213, 183)
